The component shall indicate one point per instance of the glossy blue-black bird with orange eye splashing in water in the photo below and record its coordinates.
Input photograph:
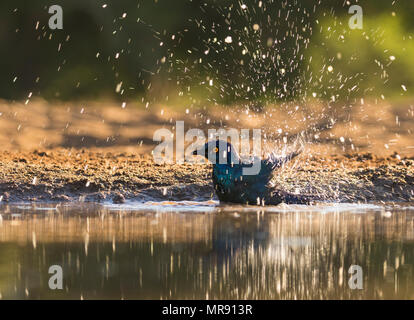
(233, 183)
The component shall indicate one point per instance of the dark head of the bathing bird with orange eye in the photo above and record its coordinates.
(218, 152)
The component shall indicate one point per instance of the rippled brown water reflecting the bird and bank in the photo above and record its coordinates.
(180, 250)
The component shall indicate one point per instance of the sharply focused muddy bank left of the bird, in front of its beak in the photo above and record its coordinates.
(64, 175)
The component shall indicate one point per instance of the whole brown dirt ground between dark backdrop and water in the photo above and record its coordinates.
(102, 152)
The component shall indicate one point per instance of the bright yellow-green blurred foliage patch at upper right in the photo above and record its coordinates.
(373, 61)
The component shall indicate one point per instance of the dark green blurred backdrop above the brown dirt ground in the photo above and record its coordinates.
(286, 58)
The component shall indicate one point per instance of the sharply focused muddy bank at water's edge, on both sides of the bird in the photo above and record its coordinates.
(73, 175)
